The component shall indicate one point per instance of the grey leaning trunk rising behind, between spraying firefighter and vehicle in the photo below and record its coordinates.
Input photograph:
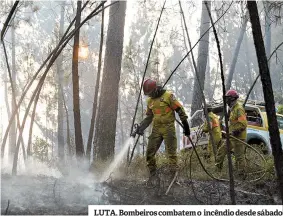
(201, 61)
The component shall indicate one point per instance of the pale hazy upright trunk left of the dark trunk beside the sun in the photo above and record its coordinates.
(60, 74)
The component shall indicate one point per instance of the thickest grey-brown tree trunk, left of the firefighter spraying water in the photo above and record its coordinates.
(106, 128)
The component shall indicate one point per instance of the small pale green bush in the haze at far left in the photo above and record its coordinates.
(40, 149)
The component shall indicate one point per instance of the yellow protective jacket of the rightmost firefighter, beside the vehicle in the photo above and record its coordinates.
(238, 120)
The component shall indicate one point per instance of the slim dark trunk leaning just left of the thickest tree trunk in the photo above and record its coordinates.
(97, 85)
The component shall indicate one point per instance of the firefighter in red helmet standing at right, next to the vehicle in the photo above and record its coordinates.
(237, 128)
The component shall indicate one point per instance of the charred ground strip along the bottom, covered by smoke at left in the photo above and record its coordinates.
(48, 195)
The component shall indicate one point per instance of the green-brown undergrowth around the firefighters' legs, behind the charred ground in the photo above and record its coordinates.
(138, 169)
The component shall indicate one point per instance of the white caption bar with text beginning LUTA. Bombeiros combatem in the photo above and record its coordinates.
(185, 210)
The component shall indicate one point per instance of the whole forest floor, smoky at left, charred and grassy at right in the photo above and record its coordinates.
(72, 192)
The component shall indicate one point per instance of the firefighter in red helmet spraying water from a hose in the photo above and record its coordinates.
(161, 108)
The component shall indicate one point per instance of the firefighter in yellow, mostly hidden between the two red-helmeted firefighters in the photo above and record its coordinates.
(215, 131)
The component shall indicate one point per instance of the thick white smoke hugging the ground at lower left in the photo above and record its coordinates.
(42, 189)
